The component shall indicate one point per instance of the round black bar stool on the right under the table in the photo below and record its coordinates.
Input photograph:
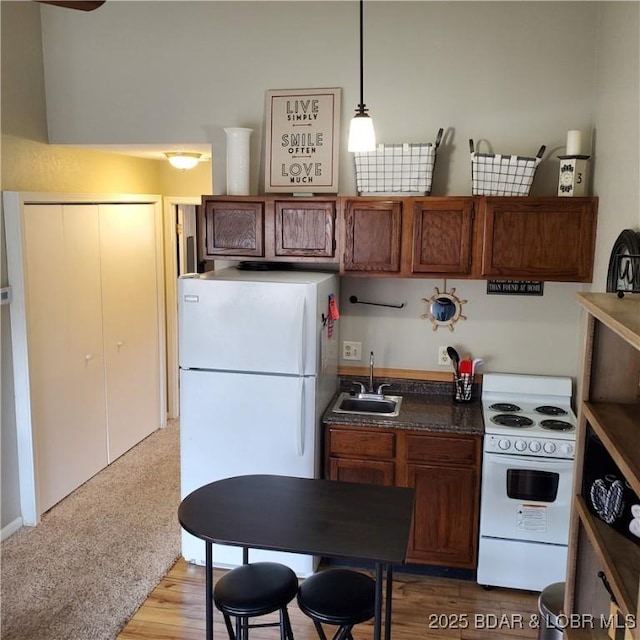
(340, 597)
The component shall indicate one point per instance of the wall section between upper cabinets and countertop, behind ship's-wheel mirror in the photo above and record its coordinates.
(516, 334)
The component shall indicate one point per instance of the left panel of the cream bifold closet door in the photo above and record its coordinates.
(66, 363)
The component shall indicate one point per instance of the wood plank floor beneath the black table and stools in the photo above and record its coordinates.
(423, 608)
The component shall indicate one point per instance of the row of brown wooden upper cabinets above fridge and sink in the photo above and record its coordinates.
(517, 238)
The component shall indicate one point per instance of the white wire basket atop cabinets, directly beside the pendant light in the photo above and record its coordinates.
(397, 168)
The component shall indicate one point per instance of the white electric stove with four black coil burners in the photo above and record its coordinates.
(527, 480)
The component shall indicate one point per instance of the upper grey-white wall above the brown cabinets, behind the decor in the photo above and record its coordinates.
(153, 72)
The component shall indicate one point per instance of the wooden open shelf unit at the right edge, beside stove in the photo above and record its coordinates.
(610, 410)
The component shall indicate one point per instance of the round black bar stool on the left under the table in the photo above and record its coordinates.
(254, 590)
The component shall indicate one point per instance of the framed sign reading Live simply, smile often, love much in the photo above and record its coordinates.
(302, 140)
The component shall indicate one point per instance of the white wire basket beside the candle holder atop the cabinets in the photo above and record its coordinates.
(500, 175)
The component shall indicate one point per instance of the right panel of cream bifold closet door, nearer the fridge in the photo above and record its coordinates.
(130, 323)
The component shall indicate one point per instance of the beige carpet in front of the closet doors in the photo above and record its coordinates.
(96, 556)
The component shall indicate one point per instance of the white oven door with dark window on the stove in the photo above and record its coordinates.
(525, 498)
